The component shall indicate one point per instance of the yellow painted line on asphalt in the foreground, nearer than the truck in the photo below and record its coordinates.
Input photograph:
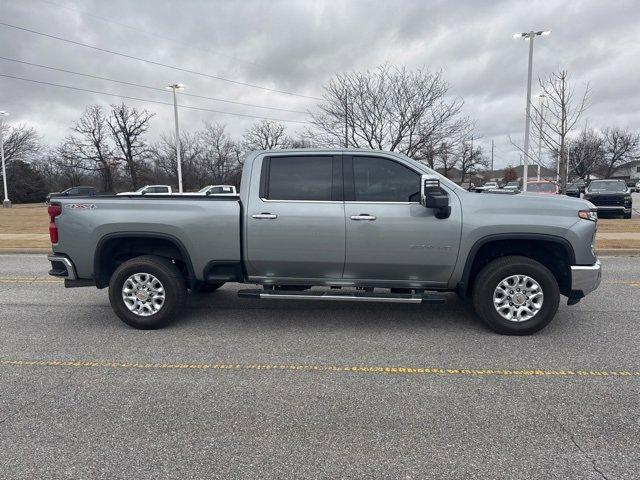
(388, 370)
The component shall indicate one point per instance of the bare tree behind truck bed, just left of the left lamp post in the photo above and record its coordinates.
(128, 126)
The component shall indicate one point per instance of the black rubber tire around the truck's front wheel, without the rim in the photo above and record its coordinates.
(496, 271)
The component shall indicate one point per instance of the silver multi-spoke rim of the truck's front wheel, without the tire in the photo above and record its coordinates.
(518, 298)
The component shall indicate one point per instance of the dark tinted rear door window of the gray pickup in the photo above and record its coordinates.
(300, 178)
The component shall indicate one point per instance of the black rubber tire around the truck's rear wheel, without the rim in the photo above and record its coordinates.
(175, 291)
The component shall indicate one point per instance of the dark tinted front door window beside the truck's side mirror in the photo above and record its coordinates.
(381, 180)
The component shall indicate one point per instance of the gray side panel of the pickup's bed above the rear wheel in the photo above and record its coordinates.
(208, 228)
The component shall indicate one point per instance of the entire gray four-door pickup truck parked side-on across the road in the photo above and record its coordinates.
(352, 225)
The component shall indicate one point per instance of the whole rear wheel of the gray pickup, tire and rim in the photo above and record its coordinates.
(147, 292)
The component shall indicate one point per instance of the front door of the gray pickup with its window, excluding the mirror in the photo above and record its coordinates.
(391, 237)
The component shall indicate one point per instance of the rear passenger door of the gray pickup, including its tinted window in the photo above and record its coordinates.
(295, 226)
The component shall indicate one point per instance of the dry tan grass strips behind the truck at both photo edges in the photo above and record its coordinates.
(32, 218)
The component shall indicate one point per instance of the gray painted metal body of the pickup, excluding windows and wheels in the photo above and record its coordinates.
(332, 242)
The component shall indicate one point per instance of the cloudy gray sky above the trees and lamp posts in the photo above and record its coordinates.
(296, 46)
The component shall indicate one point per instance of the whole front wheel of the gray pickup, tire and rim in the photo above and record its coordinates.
(516, 295)
